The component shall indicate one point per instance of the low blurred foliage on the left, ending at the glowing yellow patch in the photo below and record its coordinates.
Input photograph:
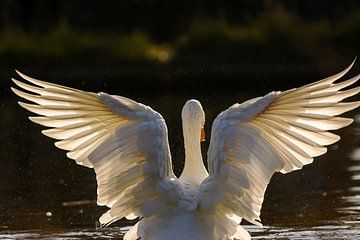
(63, 41)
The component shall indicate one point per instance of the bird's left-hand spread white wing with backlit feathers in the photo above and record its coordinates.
(124, 141)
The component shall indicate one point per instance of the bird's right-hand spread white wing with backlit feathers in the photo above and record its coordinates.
(280, 132)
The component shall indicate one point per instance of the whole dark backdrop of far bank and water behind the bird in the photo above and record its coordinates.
(162, 53)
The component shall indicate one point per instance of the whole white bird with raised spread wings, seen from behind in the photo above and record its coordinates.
(126, 143)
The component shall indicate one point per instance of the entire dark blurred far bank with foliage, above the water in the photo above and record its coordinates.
(211, 39)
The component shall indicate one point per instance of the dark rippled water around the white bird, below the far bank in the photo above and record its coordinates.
(43, 195)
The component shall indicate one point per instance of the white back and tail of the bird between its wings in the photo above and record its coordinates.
(187, 221)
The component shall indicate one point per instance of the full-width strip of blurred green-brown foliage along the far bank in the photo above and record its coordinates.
(271, 36)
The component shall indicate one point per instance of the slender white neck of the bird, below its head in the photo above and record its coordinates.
(194, 170)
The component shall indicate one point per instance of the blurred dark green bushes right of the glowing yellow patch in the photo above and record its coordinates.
(271, 37)
